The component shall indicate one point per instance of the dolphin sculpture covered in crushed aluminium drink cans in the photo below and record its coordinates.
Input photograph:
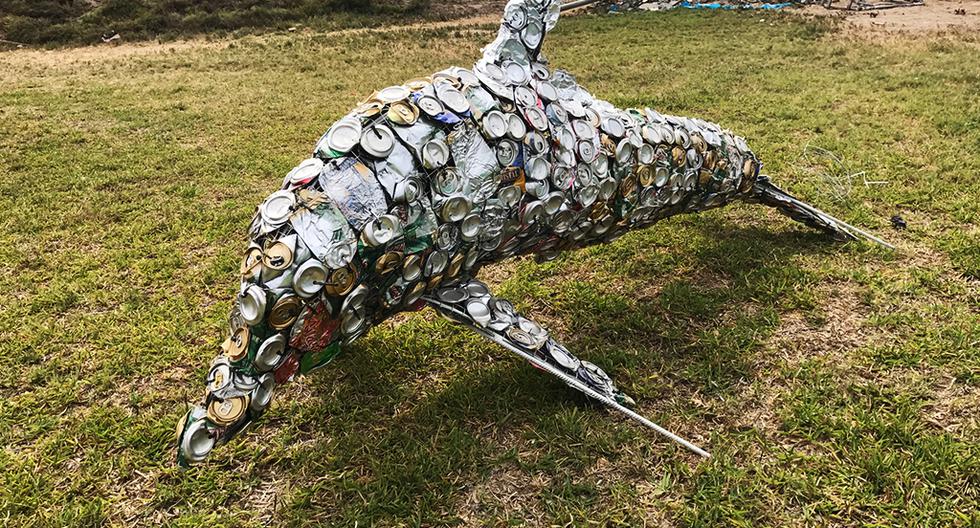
(410, 194)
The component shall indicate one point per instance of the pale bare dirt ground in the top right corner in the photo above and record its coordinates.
(936, 16)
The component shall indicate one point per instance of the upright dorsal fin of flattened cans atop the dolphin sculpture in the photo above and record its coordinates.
(522, 31)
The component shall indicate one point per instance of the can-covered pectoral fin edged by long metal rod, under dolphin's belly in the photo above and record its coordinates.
(471, 304)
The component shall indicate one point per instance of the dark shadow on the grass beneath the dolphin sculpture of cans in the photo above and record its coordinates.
(397, 467)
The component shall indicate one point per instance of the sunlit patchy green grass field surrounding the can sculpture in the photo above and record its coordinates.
(836, 385)
